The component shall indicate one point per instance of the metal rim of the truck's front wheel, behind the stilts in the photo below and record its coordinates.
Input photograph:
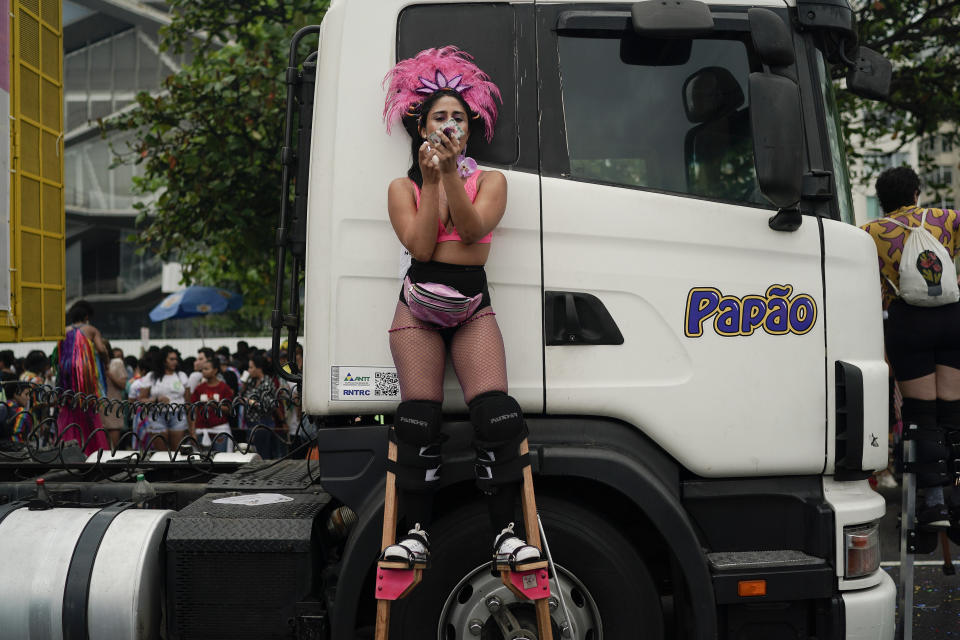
(467, 606)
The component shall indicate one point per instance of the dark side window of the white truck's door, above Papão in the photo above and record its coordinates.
(666, 115)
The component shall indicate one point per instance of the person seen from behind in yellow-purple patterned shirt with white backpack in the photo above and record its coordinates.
(916, 247)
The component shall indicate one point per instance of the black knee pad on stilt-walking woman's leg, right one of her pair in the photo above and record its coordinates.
(500, 428)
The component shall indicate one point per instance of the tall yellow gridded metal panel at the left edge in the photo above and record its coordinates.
(36, 179)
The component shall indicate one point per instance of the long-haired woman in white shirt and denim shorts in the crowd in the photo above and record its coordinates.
(167, 385)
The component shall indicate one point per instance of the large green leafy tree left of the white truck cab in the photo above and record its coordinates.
(209, 145)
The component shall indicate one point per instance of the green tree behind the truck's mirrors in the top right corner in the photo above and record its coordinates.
(922, 40)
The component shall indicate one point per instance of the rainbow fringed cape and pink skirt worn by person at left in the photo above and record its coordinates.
(80, 370)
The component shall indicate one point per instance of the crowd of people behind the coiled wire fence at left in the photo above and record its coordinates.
(234, 393)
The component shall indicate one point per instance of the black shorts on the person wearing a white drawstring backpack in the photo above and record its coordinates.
(920, 338)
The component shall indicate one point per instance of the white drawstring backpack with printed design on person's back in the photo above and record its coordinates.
(928, 277)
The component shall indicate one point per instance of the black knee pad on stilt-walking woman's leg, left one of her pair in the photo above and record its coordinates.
(416, 432)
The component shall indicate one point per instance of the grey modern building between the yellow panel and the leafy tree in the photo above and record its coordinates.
(111, 52)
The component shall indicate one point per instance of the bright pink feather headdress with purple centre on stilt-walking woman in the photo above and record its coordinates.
(413, 79)
